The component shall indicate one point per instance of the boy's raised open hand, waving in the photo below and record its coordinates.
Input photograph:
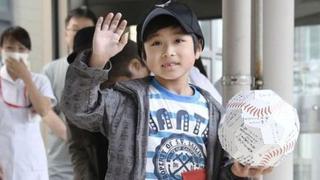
(108, 39)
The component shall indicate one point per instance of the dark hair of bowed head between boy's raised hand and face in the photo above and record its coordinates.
(121, 61)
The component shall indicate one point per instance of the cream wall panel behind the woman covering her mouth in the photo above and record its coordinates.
(35, 17)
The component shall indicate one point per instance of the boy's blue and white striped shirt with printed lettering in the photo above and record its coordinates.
(178, 129)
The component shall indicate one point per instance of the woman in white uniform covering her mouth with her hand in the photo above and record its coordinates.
(23, 96)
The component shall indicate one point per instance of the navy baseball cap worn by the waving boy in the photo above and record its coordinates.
(181, 12)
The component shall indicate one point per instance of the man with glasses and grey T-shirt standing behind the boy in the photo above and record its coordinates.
(59, 162)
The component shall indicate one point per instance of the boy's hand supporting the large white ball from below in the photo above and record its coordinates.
(249, 171)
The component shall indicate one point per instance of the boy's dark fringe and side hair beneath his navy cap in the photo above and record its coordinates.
(161, 22)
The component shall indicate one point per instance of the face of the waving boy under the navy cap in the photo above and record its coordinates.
(170, 54)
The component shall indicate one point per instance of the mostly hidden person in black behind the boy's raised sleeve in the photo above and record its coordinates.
(87, 149)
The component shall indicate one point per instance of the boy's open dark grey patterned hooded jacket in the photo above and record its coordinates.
(122, 114)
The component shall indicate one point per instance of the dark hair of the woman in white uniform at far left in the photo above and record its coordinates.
(17, 33)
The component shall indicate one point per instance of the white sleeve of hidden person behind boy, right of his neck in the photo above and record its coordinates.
(203, 82)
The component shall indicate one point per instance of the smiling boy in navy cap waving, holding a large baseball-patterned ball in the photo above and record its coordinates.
(158, 127)
